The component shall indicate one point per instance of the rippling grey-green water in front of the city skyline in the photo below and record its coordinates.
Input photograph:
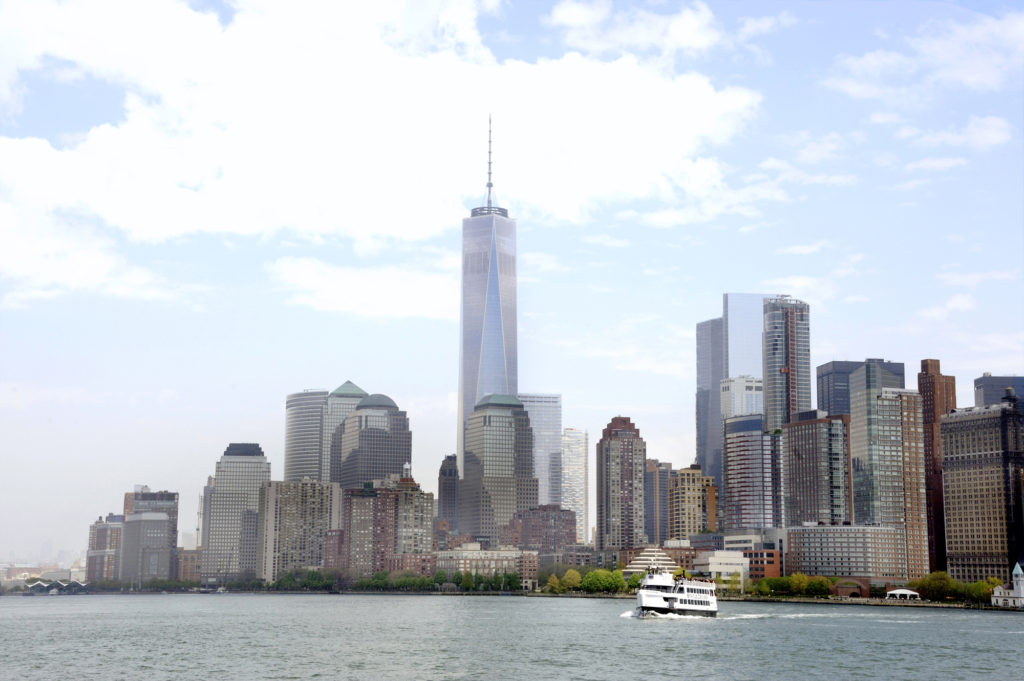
(237, 636)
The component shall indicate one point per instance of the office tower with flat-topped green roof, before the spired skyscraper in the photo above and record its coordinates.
(498, 469)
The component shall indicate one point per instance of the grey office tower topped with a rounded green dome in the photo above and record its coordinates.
(376, 443)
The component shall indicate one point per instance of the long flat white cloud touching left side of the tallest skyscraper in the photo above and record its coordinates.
(383, 292)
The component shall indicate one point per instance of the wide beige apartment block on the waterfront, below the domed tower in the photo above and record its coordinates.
(294, 519)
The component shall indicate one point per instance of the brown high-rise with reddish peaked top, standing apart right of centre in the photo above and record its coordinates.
(622, 456)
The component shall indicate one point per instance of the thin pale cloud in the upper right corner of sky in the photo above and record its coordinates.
(982, 55)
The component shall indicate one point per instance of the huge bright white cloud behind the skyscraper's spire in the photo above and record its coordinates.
(234, 139)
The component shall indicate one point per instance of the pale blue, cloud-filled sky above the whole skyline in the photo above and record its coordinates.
(206, 206)
